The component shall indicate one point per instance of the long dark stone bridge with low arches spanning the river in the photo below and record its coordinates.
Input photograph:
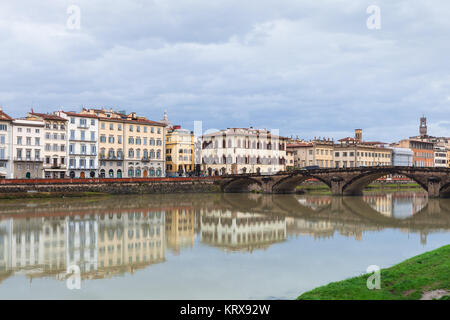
(341, 181)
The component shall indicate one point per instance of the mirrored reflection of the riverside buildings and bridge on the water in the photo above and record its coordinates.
(114, 236)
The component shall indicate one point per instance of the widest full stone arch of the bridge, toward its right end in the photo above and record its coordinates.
(356, 185)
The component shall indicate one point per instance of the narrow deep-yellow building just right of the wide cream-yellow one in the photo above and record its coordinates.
(180, 158)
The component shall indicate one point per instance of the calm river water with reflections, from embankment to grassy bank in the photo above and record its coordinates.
(208, 246)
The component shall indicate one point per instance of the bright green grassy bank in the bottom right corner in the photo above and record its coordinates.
(405, 281)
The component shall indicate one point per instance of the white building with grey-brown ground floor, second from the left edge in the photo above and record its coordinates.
(27, 148)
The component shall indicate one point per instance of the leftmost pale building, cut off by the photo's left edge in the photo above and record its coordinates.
(5, 145)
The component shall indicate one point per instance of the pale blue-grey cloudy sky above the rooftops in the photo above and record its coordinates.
(309, 68)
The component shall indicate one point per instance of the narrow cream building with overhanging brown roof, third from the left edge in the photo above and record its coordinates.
(54, 144)
